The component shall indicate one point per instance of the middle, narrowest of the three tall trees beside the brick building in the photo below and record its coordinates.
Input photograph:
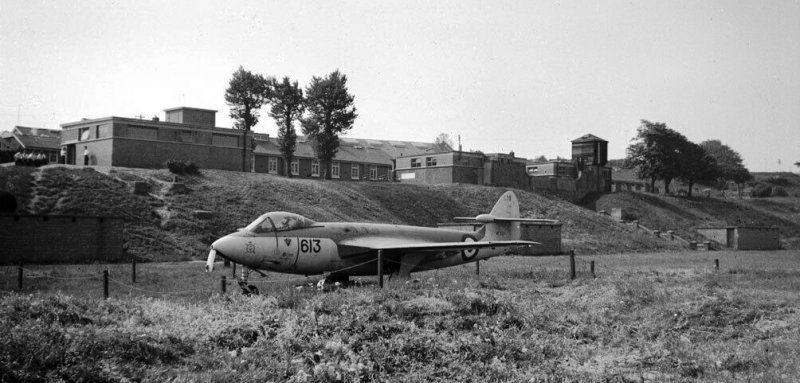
(287, 107)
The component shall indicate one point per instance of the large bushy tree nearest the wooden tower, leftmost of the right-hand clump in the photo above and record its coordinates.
(656, 153)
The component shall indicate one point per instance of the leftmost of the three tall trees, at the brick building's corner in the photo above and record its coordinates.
(246, 94)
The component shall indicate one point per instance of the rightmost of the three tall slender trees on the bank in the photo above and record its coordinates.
(330, 113)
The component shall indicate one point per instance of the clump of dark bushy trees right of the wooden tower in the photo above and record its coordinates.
(660, 153)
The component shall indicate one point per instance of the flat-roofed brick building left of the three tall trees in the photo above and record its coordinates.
(188, 134)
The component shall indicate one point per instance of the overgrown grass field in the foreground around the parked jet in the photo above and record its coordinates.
(645, 317)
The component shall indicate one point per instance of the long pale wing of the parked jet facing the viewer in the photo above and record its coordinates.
(406, 245)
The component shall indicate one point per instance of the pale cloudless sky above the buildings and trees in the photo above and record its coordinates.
(522, 76)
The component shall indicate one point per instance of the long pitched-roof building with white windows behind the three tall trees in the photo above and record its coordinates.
(357, 159)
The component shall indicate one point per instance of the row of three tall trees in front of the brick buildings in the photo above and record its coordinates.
(325, 111)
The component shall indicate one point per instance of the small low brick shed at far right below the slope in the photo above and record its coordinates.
(744, 237)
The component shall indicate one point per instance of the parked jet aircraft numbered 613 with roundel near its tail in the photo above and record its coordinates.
(290, 243)
